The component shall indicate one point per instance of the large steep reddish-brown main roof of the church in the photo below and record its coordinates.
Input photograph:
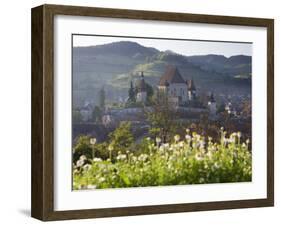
(171, 75)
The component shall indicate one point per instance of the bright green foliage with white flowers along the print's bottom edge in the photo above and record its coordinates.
(188, 161)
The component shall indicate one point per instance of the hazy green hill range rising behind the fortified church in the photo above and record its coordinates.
(114, 65)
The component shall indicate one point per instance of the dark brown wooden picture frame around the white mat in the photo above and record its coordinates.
(42, 203)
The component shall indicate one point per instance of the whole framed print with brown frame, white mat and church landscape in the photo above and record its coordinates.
(141, 112)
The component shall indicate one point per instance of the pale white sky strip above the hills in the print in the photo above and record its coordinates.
(179, 46)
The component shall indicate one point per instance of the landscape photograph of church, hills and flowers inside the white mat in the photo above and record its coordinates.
(150, 111)
